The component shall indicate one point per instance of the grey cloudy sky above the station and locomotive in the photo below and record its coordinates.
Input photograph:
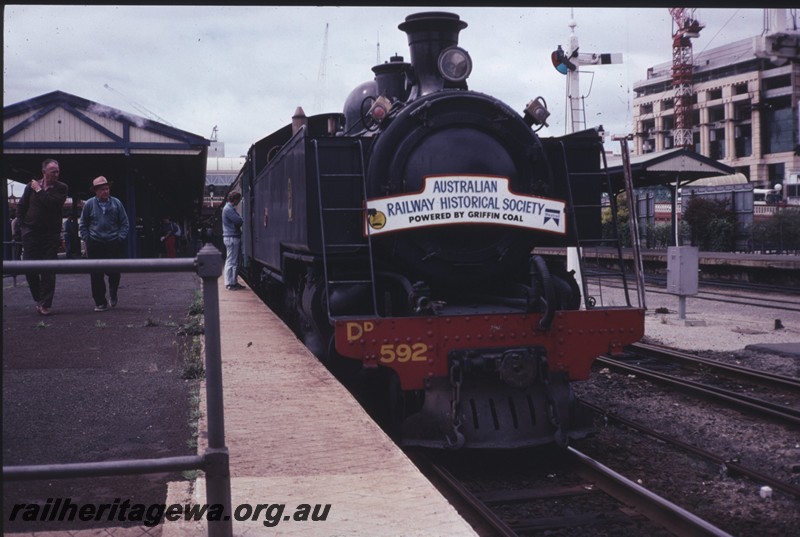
(245, 69)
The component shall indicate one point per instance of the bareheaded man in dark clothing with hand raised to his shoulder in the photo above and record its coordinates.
(39, 212)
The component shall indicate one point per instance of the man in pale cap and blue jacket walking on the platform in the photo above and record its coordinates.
(104, 227)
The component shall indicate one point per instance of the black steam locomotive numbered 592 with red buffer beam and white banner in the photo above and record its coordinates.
(397, 238)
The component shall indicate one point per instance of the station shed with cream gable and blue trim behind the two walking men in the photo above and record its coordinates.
(156, 170)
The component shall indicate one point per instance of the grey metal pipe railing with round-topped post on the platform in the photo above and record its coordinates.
(215, 461)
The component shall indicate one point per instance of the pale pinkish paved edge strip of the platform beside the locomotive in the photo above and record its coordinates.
(297, 437)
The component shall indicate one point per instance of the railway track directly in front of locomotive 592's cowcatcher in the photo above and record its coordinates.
(568, 503)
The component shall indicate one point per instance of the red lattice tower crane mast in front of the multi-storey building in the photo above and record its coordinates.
(685, 27)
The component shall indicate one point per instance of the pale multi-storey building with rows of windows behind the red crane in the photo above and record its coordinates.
(745, 109)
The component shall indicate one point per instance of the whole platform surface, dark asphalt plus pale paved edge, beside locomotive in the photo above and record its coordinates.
(295, 435)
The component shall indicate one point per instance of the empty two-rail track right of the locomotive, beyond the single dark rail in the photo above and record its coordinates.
(651, 362)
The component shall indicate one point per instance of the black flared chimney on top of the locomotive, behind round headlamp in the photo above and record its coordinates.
(429, 34)
